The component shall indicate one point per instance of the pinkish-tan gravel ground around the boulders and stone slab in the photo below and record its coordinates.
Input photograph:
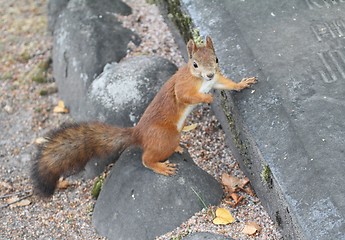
(27, 98)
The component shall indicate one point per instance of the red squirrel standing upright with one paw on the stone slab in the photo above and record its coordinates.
(158, 131)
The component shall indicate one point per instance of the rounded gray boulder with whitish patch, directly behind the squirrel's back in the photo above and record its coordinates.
(122, 92)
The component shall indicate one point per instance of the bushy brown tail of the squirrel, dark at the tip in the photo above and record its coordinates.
(69, 148)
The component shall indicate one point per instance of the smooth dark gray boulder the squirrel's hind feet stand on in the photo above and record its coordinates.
(136, 203)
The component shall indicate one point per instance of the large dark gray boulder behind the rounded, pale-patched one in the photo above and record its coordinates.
(87, 36)
